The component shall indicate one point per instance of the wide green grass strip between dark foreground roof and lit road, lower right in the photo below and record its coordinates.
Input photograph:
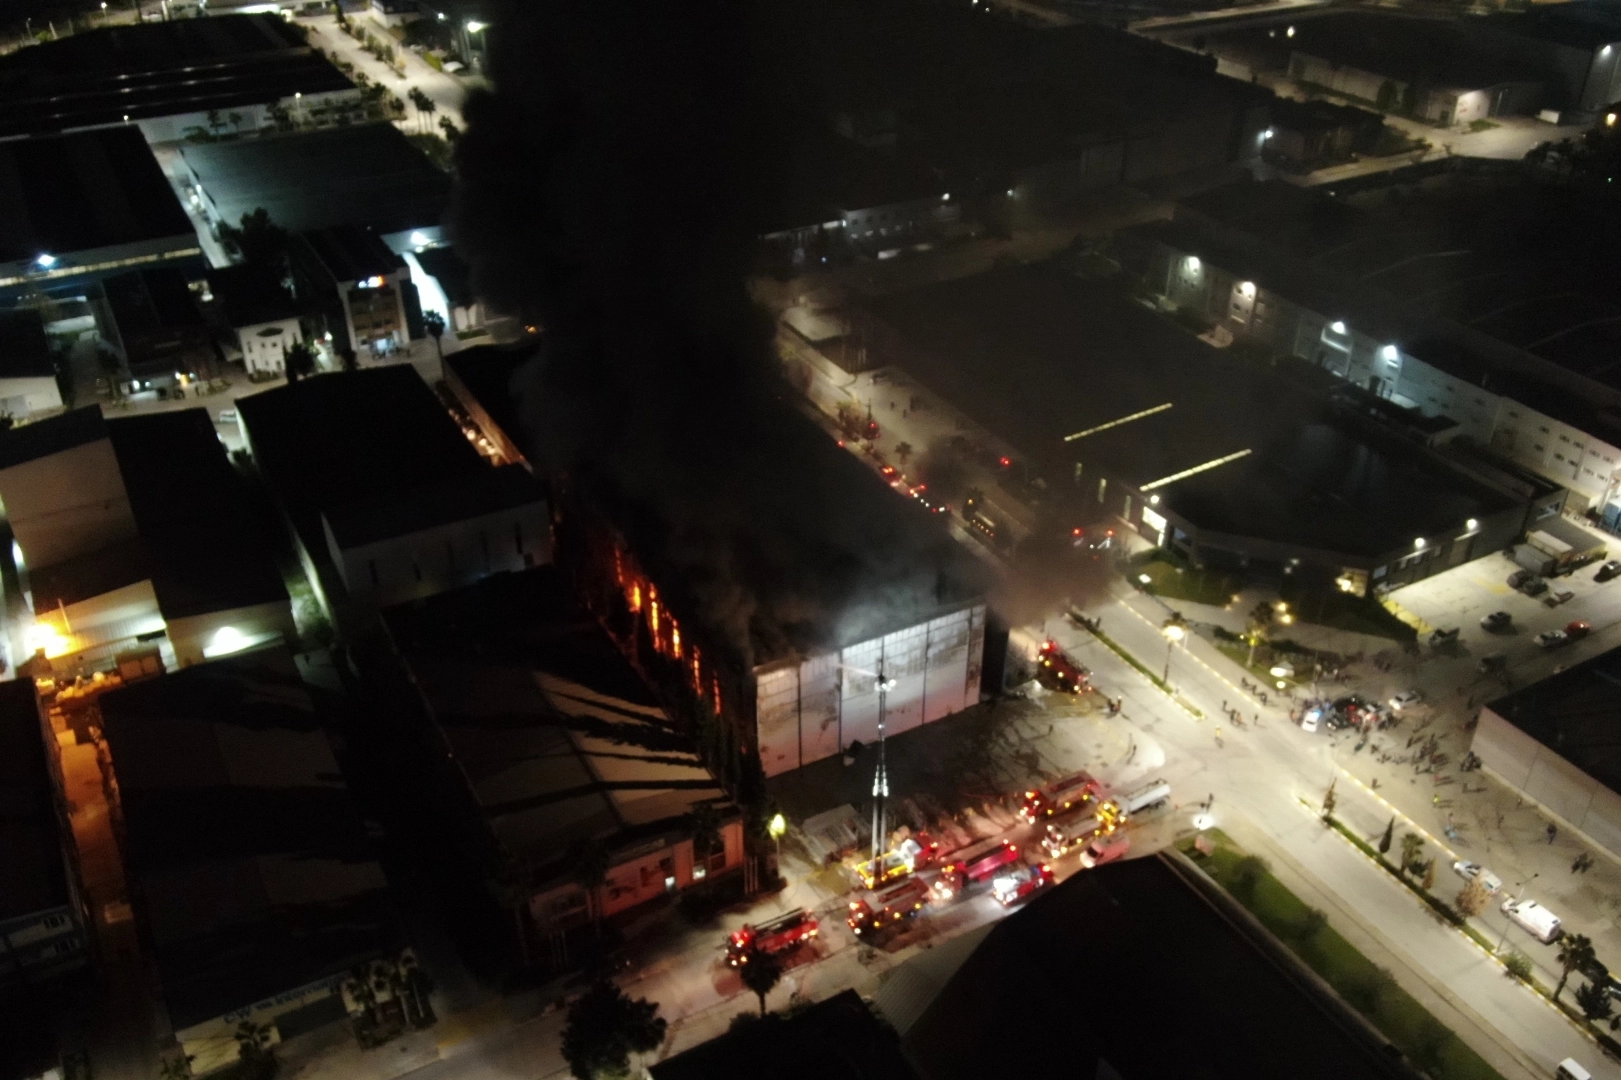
(1367, 988)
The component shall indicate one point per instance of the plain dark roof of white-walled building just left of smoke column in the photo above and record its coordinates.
(336, 440)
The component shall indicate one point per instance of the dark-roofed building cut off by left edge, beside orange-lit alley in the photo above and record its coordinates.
(41, 915)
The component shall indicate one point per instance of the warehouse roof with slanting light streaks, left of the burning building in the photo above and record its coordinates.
(558, 737)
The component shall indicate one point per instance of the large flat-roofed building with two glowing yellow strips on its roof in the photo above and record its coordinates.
(1199, 450)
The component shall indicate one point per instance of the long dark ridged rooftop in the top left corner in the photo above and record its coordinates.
(103, 75)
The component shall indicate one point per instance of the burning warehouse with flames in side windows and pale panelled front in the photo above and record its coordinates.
(774, 651)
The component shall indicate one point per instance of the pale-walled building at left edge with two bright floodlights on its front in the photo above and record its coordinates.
(135, 533)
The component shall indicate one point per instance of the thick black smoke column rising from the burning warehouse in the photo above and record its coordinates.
(612, 191)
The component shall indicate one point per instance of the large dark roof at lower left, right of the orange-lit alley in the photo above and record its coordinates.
(242, 842)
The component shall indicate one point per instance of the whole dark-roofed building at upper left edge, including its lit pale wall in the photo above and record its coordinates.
(87, 205)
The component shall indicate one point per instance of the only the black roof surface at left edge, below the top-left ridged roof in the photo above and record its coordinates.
(83, 192)
